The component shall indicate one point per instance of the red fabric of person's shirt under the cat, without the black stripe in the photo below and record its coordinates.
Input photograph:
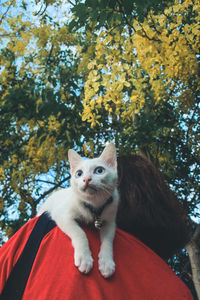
(140, 274)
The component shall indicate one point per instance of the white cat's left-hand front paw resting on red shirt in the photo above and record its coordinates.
(84, 262)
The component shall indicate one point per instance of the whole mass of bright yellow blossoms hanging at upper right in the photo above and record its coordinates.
(165, 46)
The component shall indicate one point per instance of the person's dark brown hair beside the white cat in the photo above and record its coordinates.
(148, 209)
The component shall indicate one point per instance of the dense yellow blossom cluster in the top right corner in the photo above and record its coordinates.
(169, 48)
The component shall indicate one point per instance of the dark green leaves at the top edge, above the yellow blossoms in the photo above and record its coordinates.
(105, 11)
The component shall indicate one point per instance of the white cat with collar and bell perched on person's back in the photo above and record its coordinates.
(92, 197)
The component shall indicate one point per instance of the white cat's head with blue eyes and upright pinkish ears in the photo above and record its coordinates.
(94, 180)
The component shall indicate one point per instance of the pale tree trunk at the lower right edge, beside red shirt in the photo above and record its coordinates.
(194, 255)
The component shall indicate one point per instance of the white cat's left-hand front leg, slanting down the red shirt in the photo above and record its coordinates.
(82, 255)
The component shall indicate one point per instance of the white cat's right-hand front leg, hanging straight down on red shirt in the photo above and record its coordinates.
(106, 262)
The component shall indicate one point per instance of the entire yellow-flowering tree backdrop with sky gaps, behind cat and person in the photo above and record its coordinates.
(80, 74)
